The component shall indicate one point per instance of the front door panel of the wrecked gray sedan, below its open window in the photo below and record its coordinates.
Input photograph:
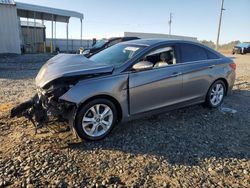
(155, 88)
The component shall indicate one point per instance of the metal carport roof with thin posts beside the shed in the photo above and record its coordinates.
(49, 14)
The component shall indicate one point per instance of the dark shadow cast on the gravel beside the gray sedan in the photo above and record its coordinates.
(184, 136)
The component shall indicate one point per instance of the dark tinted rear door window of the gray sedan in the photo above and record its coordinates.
(191, 52)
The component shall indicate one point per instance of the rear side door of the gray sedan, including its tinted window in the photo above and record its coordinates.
(197, 71)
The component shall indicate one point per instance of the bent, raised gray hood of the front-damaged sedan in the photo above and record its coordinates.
(69, 65)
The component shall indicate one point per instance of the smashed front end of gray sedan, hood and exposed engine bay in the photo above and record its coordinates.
(54, 79)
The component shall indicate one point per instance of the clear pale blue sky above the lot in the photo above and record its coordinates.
(195, 18)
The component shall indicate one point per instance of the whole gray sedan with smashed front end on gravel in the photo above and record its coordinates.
(126, 81)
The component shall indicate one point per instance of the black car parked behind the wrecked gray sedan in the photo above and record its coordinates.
(105, 43)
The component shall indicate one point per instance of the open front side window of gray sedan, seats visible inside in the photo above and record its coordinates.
(161, 57)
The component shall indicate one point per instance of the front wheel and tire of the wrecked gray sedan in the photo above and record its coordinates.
(90, 119)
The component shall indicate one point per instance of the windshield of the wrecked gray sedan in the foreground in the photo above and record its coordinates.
(117, 54)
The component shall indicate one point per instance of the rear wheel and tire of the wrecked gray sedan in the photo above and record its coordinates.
(215, 96)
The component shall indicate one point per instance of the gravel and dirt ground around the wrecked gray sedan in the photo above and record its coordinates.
(190, 147)
